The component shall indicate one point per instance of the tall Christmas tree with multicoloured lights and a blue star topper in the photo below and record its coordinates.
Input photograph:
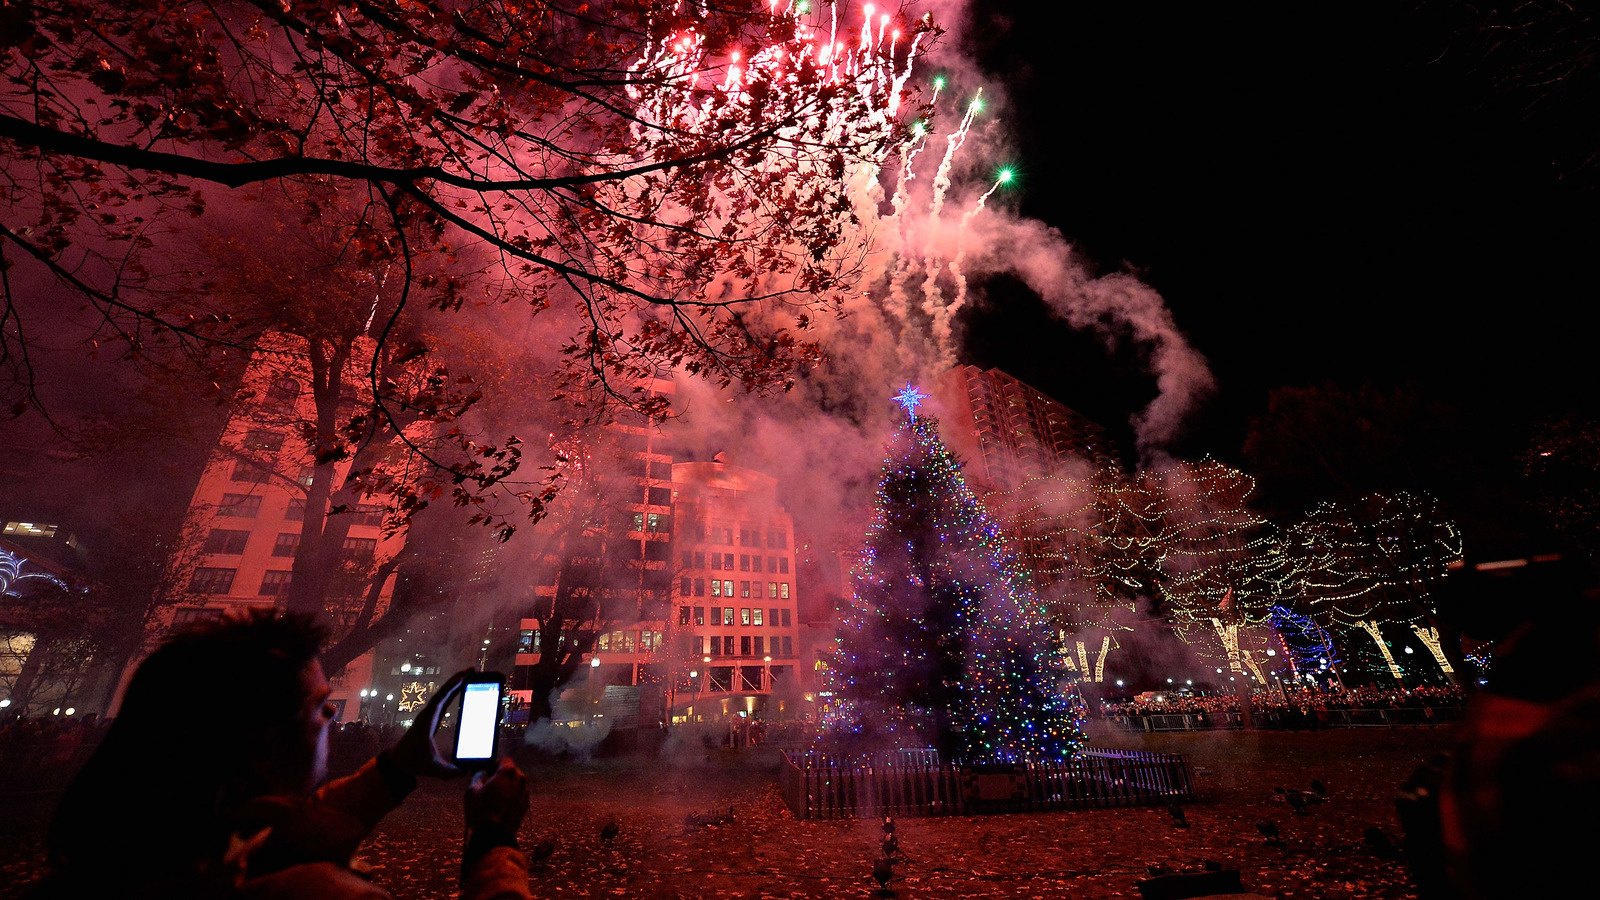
(945, 640)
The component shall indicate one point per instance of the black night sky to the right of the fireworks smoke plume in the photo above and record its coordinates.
(1319, 193)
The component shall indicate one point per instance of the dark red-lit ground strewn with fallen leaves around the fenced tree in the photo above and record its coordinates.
(761, 851)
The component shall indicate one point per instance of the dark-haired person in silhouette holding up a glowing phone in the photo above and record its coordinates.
(228, 803)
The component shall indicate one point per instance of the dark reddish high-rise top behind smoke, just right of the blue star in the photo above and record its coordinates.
(1009, 432)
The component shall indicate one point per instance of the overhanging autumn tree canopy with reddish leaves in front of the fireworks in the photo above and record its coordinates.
(658, 171)
